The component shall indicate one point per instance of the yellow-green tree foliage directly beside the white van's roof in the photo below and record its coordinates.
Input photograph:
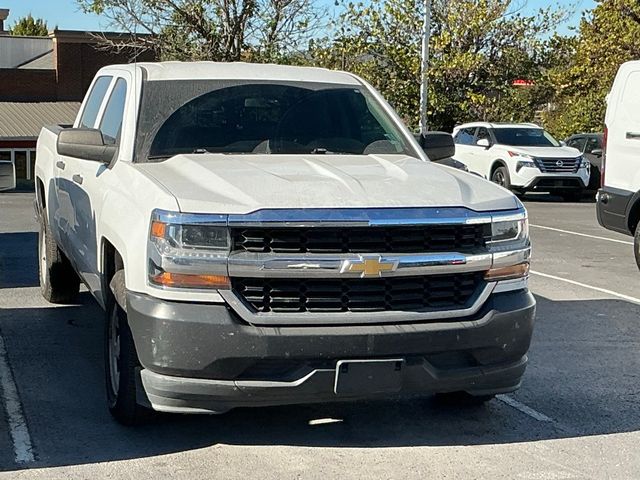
(608, 37)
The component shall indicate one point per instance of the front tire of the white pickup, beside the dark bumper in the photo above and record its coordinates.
(121, 362)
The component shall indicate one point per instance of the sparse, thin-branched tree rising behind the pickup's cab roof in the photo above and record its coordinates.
(222, 30)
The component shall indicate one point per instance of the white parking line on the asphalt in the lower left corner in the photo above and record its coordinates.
(22, 446)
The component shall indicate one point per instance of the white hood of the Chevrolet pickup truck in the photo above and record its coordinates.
(239, 184)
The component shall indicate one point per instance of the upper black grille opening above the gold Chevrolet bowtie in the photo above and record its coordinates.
(424, 239)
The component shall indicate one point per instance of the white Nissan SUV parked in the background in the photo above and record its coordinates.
(521, 157)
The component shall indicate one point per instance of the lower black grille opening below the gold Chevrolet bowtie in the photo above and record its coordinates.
(358, 295)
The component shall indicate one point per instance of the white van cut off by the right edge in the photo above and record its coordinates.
(619, 198)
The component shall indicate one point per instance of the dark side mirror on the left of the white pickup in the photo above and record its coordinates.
(85, 144)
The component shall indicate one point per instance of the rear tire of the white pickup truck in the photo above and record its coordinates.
(59, 283)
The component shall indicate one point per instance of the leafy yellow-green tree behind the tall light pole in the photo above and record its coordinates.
(477, 48)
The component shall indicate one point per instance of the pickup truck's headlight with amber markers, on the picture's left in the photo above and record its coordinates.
(188, 251)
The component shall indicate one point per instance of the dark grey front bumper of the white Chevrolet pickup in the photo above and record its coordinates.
(203, 358)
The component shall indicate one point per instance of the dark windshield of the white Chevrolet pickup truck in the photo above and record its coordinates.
(271, 118)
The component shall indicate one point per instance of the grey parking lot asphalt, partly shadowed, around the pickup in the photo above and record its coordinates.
(576, 416)
